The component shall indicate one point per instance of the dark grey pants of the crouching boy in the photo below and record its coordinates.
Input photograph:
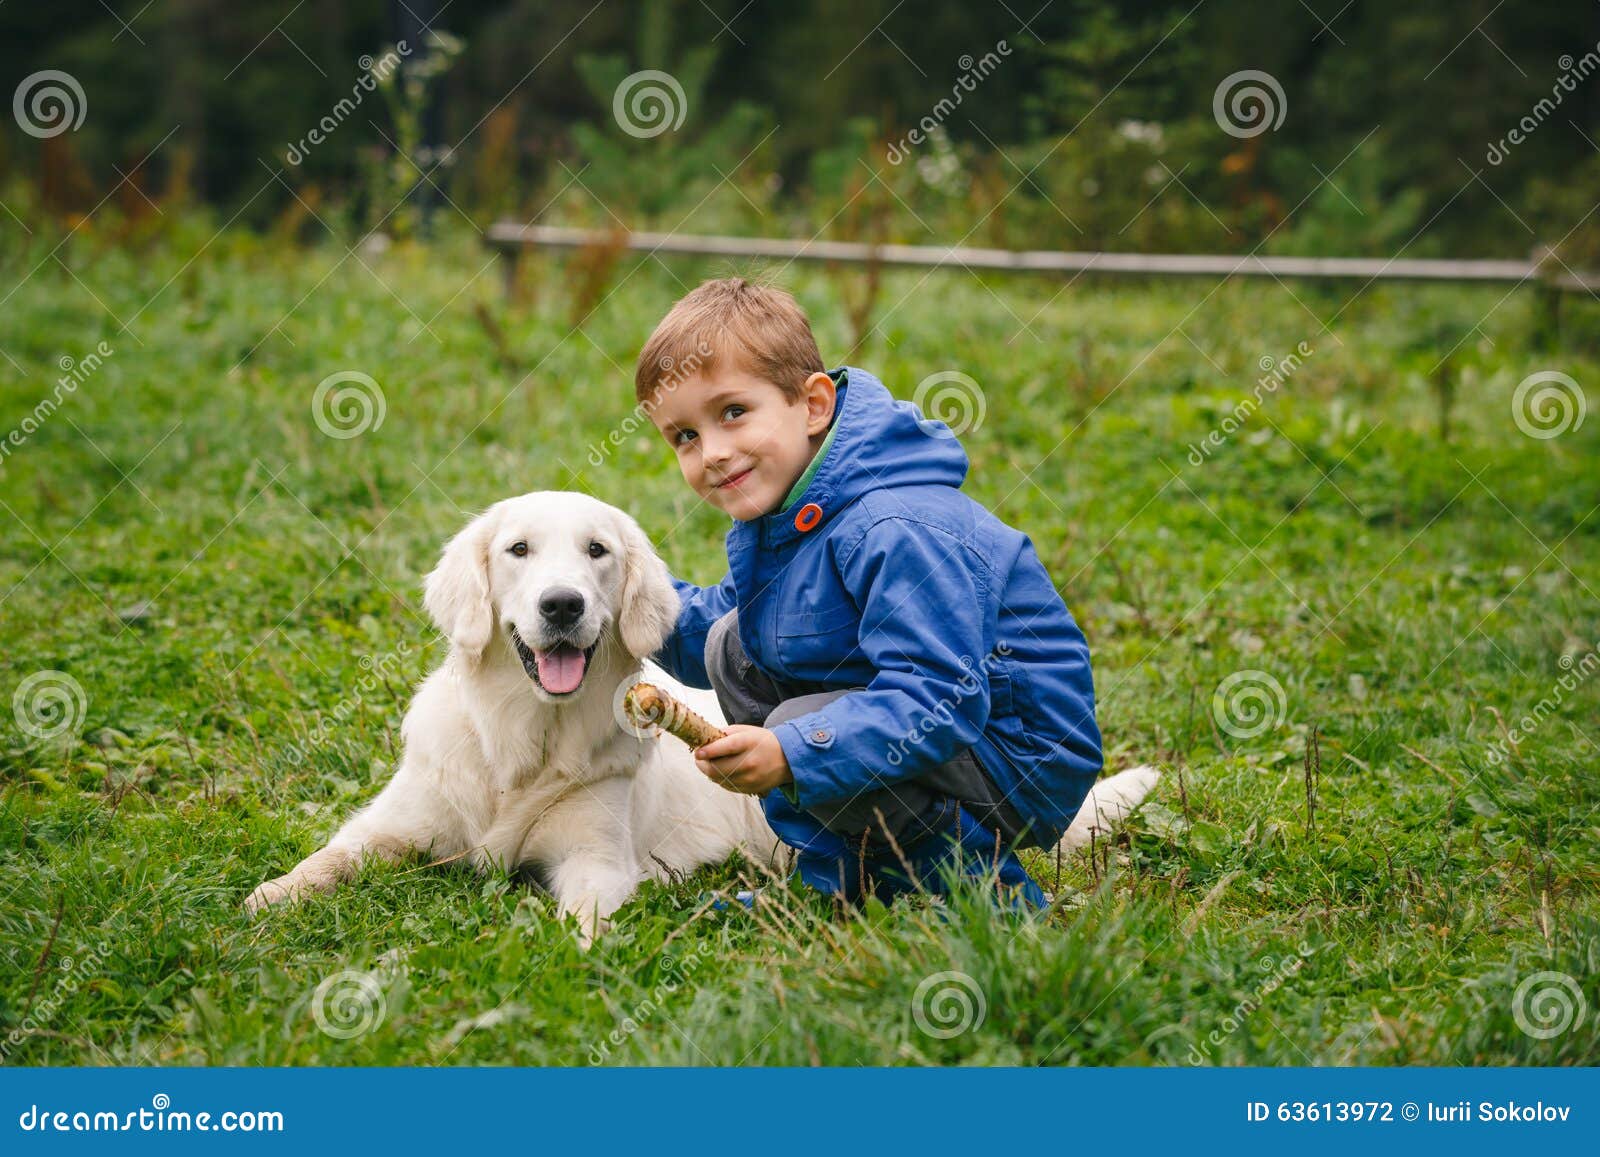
(903, 812)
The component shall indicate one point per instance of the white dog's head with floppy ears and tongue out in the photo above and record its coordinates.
(554, 575)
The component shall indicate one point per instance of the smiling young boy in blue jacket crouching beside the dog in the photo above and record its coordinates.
(903, 681)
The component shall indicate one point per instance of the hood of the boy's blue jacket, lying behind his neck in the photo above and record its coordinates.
(879, 444)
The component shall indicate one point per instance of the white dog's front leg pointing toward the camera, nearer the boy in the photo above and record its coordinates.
(588, 851)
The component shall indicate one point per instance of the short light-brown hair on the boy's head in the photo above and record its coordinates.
(761, 327)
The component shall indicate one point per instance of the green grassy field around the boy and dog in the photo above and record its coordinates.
(233, 598)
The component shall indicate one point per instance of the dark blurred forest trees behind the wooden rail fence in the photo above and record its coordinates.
(1111, 102)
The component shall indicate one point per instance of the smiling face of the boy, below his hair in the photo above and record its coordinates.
(740, 442)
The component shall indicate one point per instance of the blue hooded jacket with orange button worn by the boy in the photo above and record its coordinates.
(916, 593)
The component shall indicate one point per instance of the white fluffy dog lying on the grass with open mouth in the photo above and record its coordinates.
(514, 748)
